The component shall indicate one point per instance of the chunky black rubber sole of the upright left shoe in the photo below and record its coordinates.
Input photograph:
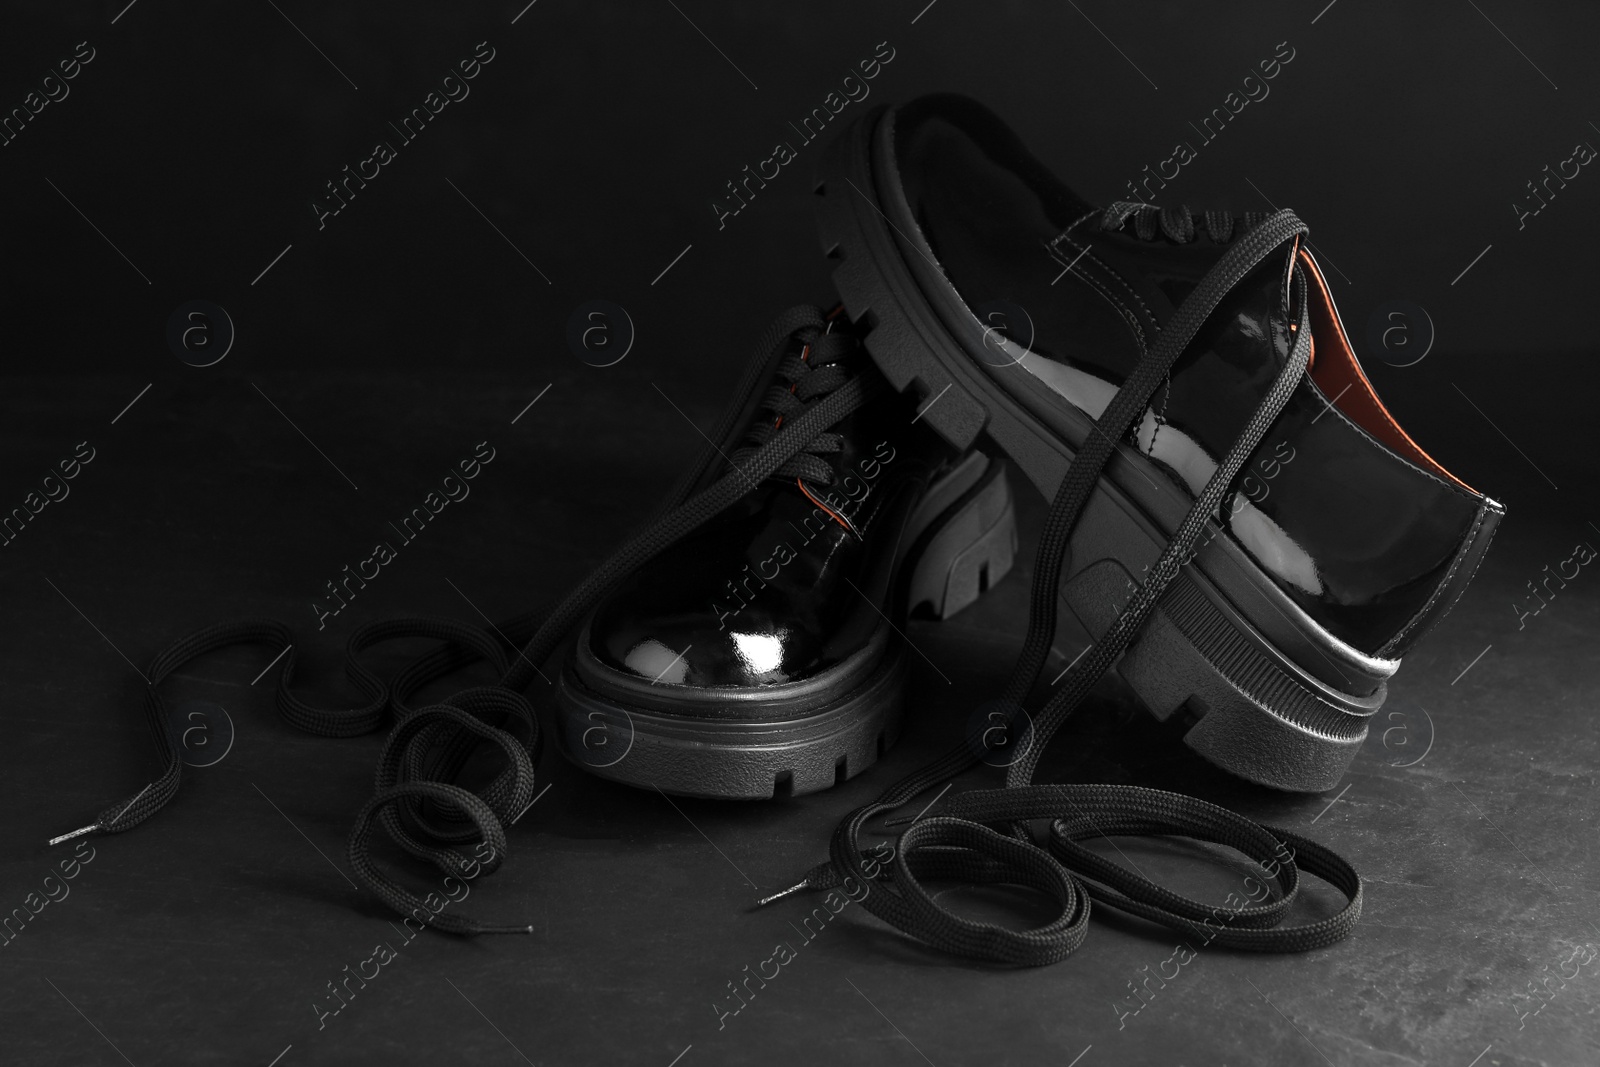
(798, 738)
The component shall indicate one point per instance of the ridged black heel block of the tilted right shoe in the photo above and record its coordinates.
(1254, 713)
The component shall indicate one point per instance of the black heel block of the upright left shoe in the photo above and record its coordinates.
(969, 545)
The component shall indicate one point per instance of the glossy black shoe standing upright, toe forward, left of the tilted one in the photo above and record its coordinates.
(764, 652)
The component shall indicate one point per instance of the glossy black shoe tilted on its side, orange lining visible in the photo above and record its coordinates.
(993, 286)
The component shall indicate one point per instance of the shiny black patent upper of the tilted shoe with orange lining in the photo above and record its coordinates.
(1346, 514)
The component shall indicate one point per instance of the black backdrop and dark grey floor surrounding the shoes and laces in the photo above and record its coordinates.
(380, 350)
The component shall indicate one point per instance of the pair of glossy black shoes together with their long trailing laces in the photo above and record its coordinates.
(1247, 535)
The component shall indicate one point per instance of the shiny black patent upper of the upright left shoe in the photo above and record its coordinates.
(788, 586)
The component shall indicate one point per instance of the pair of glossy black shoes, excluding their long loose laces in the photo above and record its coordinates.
(991, 319)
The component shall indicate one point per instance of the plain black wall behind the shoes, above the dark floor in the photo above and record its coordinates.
(601, 135)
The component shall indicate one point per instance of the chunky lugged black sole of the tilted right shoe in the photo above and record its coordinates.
(1271, 697)
